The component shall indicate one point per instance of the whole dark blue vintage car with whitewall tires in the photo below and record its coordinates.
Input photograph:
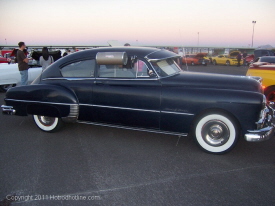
(144, 89)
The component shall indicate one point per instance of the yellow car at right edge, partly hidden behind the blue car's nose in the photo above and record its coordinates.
(267, 72)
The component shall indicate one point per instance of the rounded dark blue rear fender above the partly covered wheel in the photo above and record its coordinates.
(43, 99)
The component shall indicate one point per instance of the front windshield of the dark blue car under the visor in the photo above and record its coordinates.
(166, 67)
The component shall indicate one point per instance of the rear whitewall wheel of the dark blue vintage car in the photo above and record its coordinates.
(48, 124)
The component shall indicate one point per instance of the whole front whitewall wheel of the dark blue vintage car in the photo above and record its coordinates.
(216, 133)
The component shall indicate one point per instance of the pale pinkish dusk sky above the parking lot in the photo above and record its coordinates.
(140, 22)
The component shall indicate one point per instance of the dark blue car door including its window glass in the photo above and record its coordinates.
(126, 95)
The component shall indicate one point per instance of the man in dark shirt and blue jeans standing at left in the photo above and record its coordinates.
(22, 61)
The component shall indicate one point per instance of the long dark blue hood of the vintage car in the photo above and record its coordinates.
(215, 81)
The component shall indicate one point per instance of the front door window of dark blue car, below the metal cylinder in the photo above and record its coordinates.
(129, 71)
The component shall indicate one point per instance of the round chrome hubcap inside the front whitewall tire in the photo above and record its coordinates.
(215, 133)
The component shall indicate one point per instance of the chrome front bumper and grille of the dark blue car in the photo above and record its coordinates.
(265, 127)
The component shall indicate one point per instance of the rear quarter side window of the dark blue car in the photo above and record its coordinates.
(83, 68)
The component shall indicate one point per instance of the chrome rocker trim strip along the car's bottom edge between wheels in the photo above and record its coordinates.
(133, 128)
